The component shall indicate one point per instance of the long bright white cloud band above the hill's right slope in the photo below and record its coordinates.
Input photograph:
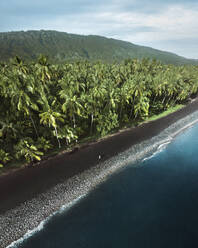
(176, 21)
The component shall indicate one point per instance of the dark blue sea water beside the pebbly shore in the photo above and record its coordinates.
(151, 205)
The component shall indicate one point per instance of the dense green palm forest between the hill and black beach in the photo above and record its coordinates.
(47, 106)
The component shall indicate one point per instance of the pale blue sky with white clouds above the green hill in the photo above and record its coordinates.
(168, 25)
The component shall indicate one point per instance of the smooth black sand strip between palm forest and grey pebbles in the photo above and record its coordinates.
(25, 184)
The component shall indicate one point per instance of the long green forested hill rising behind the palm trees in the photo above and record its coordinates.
(60, 46)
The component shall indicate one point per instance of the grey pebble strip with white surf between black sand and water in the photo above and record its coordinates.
(35, 213)
